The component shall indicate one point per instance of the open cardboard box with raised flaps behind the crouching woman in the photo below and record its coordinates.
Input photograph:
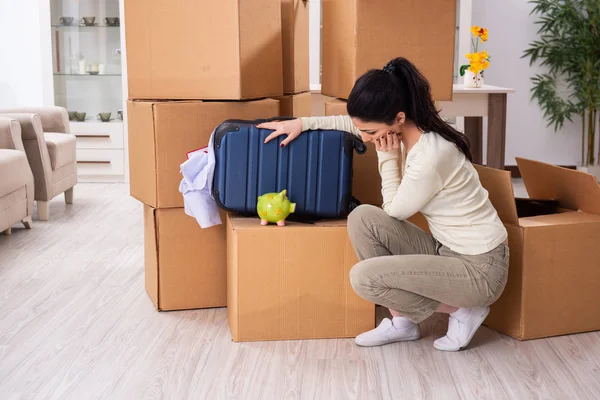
(554, 272)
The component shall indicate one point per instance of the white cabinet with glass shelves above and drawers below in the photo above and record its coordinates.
(87, 71)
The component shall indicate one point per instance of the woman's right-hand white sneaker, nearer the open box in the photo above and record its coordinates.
(462, 326)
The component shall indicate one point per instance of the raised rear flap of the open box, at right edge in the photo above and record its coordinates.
(573, 189)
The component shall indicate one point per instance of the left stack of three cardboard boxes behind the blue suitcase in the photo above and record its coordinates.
(190, 67)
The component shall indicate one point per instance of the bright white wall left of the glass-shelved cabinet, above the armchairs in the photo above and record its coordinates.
(25, 78)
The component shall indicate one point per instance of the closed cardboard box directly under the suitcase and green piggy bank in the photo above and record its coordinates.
(292, 282)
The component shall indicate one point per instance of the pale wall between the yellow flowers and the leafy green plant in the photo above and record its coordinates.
(511, 29)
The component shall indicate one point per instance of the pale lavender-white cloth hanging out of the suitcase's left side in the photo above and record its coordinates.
(196, 187)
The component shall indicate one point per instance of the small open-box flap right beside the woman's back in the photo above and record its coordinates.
(499, 186)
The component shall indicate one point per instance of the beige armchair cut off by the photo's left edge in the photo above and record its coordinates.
(16, 185)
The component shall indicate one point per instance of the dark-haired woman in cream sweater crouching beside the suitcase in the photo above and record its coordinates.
(462, 267)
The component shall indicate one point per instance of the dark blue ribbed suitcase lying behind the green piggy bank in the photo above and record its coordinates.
(315, 169)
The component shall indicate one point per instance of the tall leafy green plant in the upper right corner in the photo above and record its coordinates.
(569, 47)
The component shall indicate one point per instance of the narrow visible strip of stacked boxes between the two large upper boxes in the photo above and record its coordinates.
(296, 101)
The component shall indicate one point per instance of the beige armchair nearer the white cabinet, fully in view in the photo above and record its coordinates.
(50, 150)
